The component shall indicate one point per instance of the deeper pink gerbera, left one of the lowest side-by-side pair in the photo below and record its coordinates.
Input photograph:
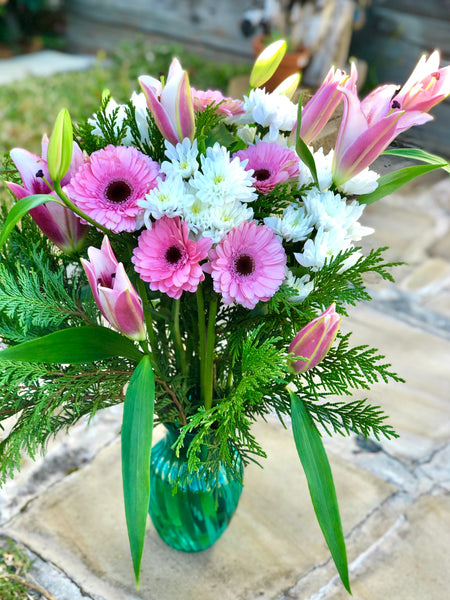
(168, 259)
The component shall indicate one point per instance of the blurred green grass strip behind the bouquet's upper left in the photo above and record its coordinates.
(28, 107)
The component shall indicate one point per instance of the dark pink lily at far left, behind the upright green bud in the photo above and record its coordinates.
(57, 222)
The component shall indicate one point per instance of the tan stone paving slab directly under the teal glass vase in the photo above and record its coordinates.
(272, 540)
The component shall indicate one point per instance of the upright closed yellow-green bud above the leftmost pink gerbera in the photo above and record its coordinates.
(60, 146)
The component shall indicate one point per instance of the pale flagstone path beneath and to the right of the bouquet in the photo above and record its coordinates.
(66, 509)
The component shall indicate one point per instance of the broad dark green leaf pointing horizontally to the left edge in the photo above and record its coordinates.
(74, 345)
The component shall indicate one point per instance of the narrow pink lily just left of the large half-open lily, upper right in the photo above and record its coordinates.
(319, 109)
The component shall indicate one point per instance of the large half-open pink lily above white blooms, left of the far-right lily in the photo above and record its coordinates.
(365, 133)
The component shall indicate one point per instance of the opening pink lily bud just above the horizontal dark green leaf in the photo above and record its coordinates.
(113, 291)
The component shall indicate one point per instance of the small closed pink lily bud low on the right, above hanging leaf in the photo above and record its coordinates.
(313, 342)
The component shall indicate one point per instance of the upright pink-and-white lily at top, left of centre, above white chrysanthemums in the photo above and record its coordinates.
(171, 105)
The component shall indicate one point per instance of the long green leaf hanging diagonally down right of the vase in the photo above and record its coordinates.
(321, 486)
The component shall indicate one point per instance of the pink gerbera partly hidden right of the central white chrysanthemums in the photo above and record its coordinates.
(271, 164)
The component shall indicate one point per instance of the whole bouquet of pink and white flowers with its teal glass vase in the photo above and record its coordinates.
(192, 256)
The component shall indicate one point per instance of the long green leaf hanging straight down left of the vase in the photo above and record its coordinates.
(137, 429)
